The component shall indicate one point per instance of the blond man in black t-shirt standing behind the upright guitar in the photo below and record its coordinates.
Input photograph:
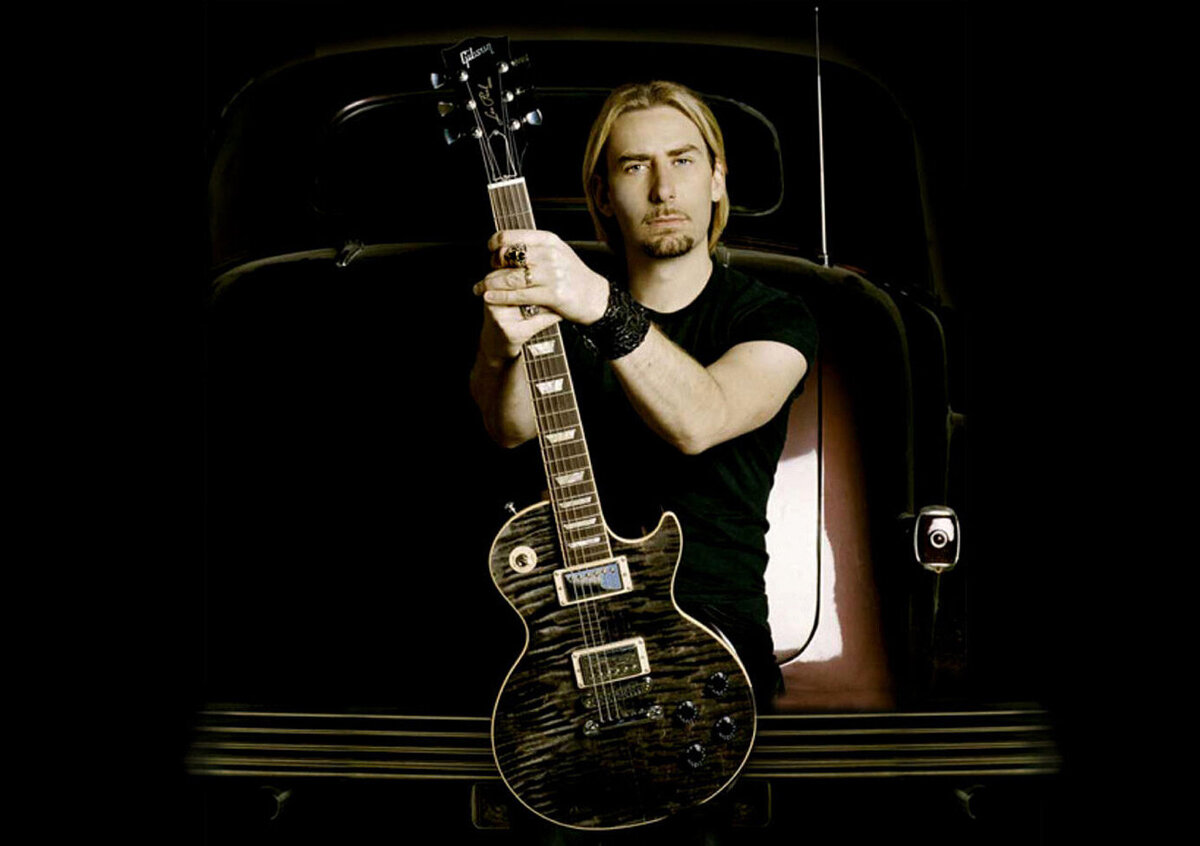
(683, 369)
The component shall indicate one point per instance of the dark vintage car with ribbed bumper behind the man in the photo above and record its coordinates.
(353, 641)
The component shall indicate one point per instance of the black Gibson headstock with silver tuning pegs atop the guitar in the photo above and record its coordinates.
(490, 99)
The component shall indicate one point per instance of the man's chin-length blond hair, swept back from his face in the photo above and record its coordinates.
(644, 97)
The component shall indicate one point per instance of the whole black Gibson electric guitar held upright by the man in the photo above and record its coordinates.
(621, 710)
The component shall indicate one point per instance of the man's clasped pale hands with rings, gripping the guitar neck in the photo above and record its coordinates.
(553, 278)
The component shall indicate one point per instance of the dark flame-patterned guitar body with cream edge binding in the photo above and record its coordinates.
(633, 752)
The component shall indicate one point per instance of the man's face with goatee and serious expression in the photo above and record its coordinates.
(661, 185)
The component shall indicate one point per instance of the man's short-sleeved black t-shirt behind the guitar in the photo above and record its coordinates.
(721, 496)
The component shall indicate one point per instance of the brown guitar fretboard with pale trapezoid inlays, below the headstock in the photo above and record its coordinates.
(565, 451)
